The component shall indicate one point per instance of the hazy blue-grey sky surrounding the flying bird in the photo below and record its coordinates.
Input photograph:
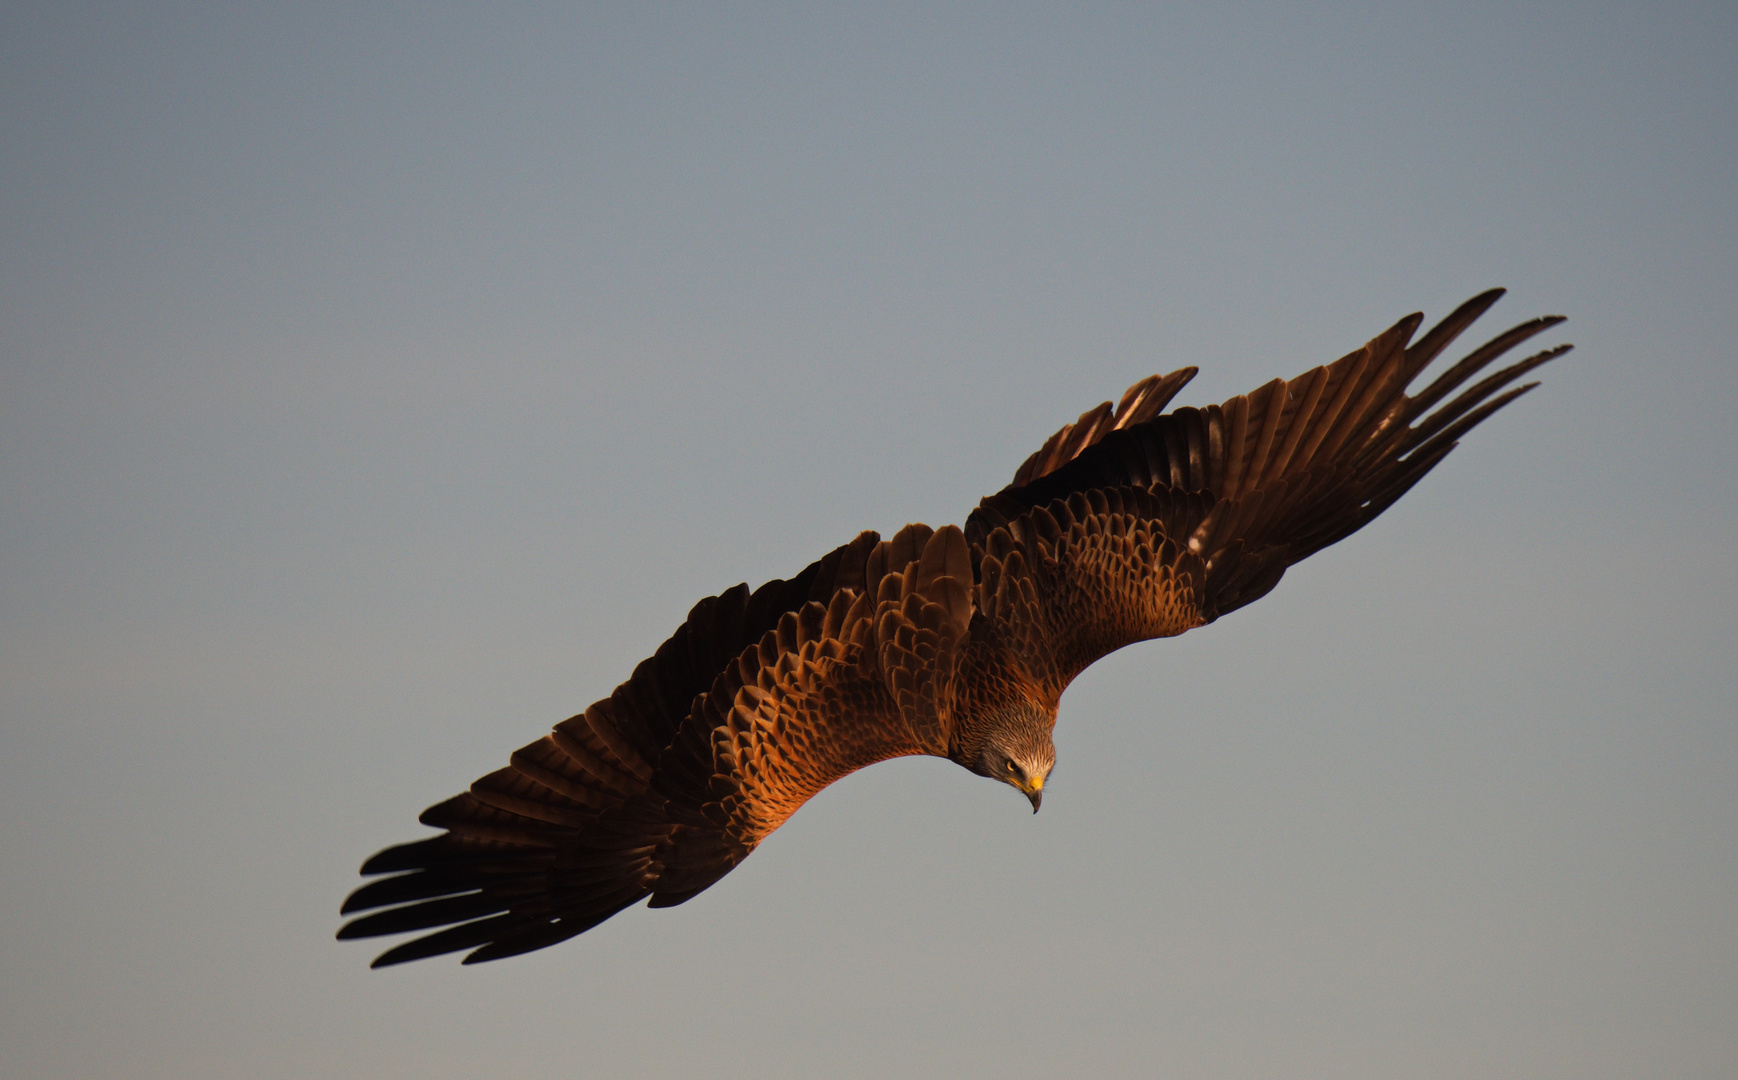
(378, 390)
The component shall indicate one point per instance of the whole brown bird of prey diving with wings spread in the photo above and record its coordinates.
(953, 643)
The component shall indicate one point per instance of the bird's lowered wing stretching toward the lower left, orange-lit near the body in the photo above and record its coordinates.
(757, 703)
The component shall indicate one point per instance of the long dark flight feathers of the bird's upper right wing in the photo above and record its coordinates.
(1268, 479)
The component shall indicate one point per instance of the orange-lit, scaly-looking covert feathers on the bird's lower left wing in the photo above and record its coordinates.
(833, 690)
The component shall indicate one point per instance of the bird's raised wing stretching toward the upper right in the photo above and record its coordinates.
(1131, 526)
